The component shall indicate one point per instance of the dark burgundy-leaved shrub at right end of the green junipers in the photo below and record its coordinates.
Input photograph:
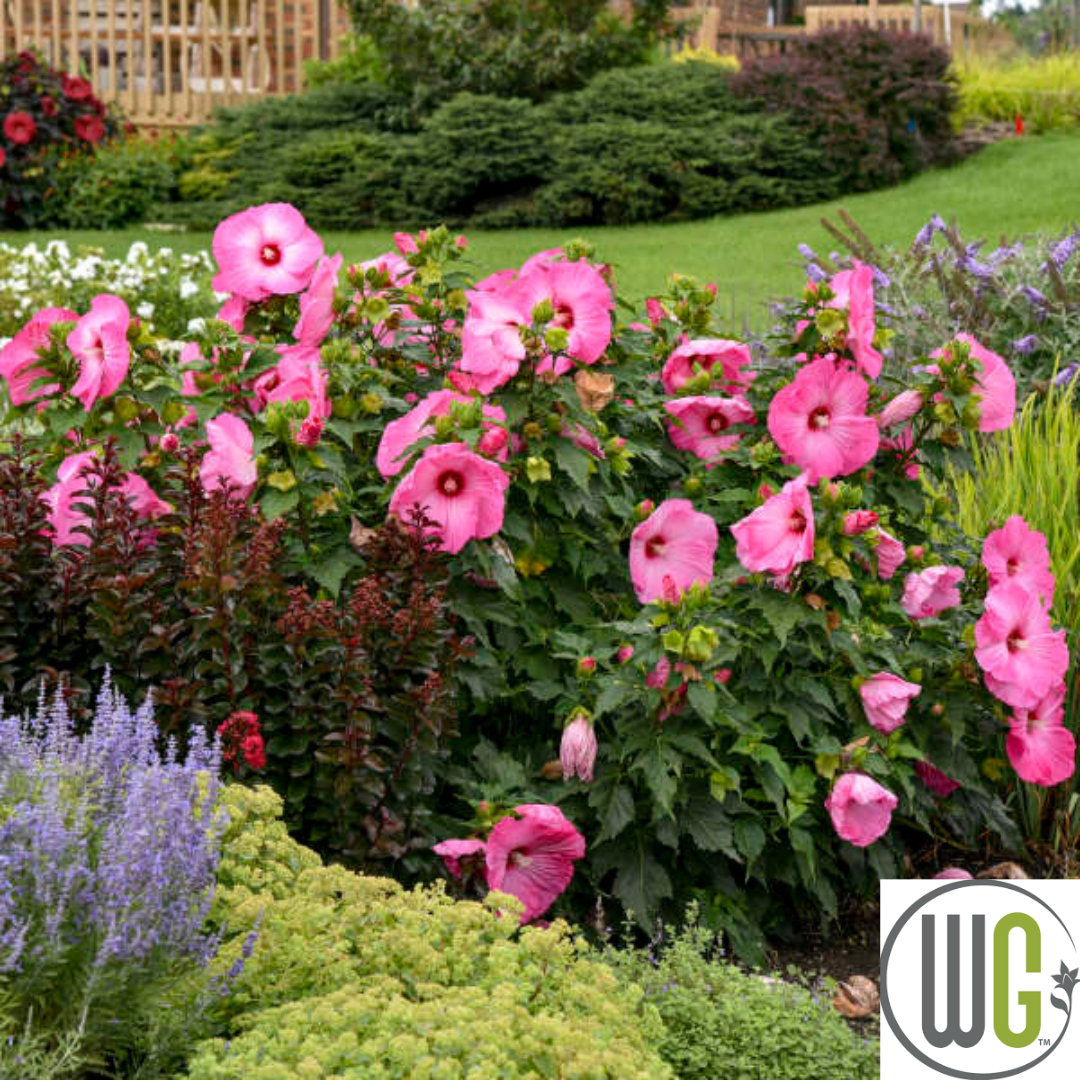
(879, 104)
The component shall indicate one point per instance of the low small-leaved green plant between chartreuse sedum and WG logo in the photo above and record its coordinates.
(721, 1023)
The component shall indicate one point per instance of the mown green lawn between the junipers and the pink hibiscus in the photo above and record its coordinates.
(1012, 188)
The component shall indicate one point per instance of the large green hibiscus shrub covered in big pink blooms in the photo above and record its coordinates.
(724, 574)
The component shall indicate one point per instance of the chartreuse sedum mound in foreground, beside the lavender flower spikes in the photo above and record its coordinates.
(356, 978)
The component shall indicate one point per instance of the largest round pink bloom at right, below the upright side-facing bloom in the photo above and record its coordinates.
(820, 423)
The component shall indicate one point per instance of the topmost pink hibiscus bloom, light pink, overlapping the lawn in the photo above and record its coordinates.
(265, 251)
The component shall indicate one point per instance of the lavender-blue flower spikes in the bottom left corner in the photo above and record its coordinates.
(109, 849)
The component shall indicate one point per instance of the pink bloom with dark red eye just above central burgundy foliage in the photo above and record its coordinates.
(464, 494)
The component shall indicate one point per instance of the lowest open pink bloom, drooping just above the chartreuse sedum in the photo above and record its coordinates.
(533, 857)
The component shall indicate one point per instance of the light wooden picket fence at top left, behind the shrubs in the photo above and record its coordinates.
(170, 63)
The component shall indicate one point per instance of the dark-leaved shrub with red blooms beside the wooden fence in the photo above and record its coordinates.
(47, 117)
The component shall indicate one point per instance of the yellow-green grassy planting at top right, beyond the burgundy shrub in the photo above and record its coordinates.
(1046, 92)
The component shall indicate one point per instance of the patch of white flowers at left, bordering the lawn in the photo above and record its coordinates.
(167, 289)
